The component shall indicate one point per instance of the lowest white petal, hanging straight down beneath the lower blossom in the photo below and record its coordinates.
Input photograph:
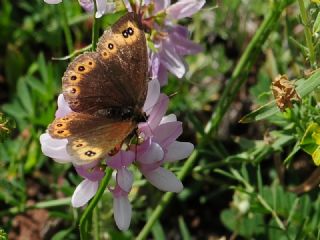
(122, 212)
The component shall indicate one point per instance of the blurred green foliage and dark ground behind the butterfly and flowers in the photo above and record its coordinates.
(239, 189)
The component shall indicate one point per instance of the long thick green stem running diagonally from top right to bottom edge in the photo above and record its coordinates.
(238, 77)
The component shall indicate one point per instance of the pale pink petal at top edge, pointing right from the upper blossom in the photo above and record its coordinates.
(184, 8)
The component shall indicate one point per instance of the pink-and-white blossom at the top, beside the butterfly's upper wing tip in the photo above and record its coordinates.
(172, 42)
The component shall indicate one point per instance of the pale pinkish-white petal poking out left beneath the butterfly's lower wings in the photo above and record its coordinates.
(55, 148)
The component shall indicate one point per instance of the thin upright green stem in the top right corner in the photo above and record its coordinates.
(307, 32)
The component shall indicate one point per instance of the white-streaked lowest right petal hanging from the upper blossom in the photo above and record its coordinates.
(170, 59)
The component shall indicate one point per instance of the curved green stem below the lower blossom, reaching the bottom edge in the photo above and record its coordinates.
(87, 214)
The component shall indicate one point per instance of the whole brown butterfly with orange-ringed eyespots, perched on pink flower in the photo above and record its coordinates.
(106, 90)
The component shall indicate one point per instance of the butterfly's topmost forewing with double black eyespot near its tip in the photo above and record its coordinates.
(129, 38)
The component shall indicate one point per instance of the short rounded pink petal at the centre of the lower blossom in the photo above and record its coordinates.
(152, 155)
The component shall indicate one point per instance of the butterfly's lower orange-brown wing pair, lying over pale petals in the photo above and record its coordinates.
(90, 138)
